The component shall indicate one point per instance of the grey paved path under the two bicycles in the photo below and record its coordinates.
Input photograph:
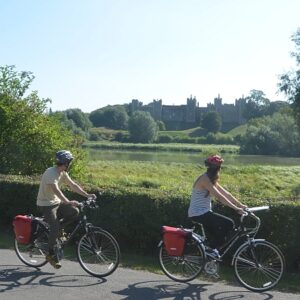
(18, 282)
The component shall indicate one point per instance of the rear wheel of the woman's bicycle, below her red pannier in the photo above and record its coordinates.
(186, 267)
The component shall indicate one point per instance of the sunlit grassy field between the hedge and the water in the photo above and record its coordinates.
(245, 182)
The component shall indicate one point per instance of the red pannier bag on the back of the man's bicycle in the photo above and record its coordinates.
(23, 228)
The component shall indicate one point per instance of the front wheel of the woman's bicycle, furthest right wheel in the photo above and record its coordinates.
(259, 267)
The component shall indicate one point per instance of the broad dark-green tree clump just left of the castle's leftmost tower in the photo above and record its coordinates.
(114, 117)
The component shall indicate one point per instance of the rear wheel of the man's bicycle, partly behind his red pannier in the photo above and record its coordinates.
(33, 254)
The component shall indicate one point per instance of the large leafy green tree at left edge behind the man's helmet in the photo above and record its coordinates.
(29, 138)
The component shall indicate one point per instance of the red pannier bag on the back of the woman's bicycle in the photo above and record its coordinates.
(174, 240)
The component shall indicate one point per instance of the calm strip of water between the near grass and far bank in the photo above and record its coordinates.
(186, 157)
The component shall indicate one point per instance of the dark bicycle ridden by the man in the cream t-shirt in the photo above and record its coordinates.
(98, 252)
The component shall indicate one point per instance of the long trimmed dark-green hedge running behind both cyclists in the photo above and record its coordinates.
(135, 216)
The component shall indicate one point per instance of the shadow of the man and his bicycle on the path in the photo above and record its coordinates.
(14, 277)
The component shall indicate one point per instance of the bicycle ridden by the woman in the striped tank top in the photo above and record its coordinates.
(258, 264)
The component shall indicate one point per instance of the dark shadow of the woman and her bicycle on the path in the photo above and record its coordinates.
(154, 290)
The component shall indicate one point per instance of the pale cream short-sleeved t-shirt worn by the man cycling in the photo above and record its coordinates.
(46, 196)
